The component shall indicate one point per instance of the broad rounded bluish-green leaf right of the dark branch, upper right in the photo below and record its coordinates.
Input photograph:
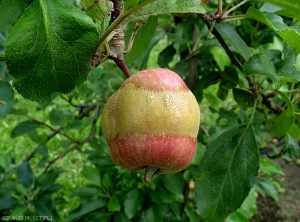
(259, 64)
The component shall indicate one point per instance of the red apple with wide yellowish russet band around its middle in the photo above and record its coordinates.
(152, 123)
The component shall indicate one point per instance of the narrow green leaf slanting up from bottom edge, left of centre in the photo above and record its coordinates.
(85, 208)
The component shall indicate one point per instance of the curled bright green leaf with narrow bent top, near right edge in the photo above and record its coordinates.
(283, 123)
